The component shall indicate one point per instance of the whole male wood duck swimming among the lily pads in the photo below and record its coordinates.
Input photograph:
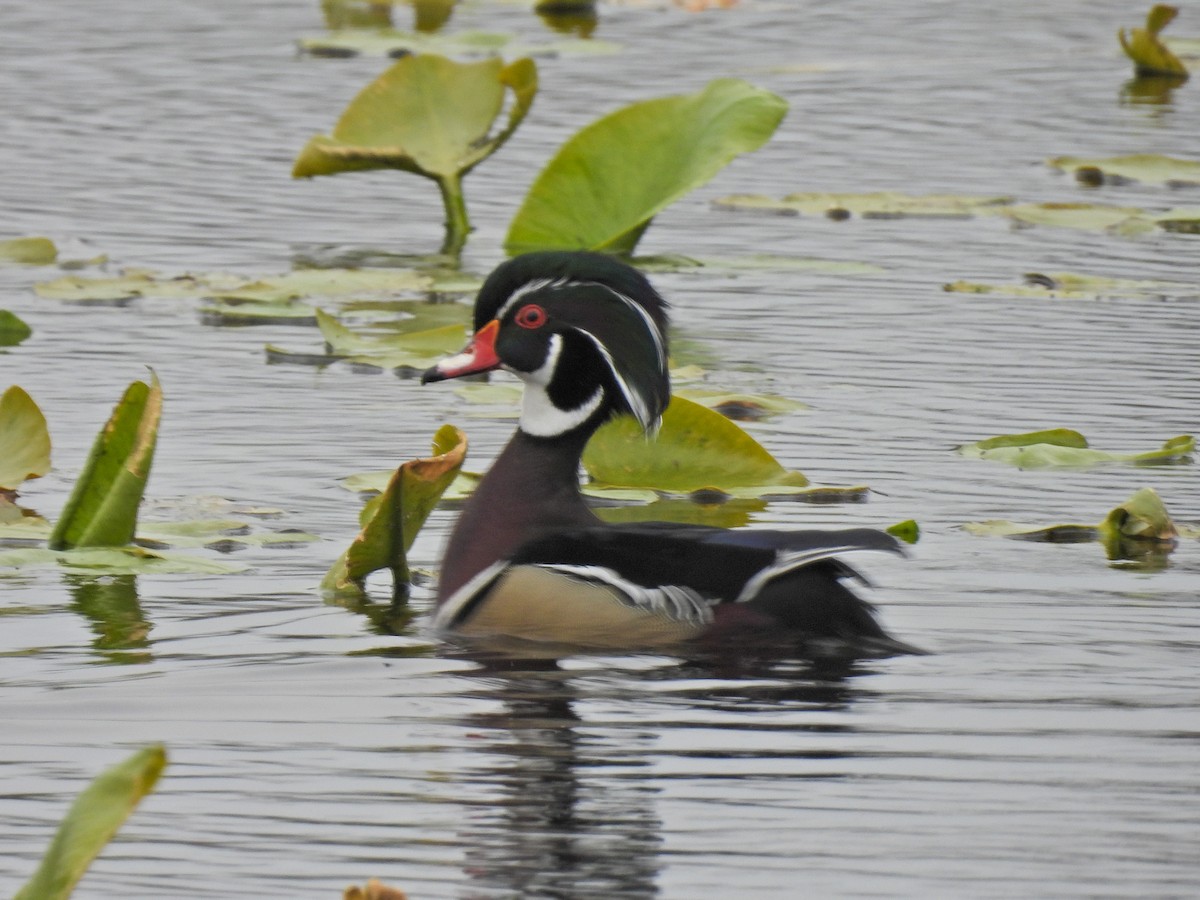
(529, 560)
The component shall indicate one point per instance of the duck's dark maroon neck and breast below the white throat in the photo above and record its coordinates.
(533, 485)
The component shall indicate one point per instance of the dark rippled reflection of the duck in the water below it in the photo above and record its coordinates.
(577, 813)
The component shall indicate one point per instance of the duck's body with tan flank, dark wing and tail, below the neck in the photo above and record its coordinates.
(659, 584)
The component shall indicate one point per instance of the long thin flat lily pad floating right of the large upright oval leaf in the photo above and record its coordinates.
(879, 205)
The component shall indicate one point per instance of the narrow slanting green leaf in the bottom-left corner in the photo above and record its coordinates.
(91, 824)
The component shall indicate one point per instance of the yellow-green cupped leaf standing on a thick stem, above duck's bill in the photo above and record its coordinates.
(431, 117)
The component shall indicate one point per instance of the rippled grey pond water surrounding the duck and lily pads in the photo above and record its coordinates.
(1048, 745)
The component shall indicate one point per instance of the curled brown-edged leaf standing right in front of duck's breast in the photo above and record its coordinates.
(392, 520)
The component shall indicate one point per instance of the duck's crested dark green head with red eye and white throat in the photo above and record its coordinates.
(586, 334)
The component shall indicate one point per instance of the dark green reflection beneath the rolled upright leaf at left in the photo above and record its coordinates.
(111, 605)
